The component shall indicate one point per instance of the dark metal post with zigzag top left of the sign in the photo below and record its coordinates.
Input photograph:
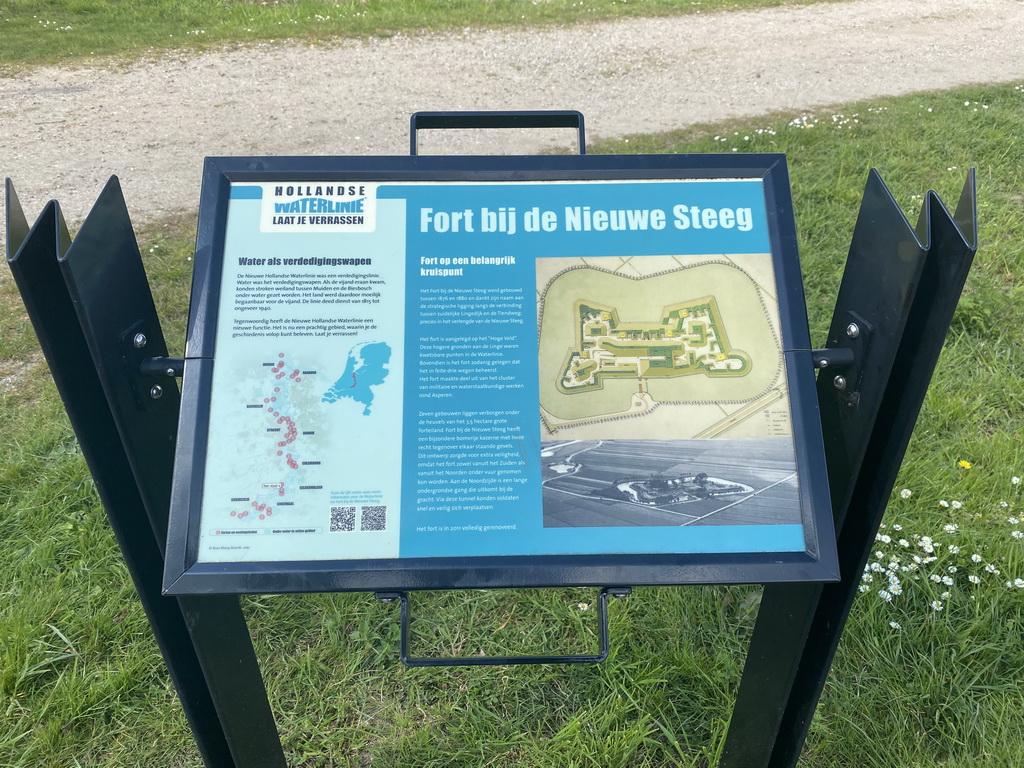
(204, 641)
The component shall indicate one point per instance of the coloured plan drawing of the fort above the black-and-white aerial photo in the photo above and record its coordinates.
(661, 348)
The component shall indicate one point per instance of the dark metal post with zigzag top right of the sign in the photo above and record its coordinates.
(895, 304)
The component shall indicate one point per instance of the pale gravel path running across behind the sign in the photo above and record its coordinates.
(65, 132)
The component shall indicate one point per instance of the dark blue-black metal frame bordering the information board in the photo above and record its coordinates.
(185, 576)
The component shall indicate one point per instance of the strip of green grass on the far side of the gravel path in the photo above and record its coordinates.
(64, 31)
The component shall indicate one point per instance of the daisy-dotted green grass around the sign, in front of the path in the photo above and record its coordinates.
(81, 682)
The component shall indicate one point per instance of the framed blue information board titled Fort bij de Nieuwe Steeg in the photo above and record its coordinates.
(439, 373)
